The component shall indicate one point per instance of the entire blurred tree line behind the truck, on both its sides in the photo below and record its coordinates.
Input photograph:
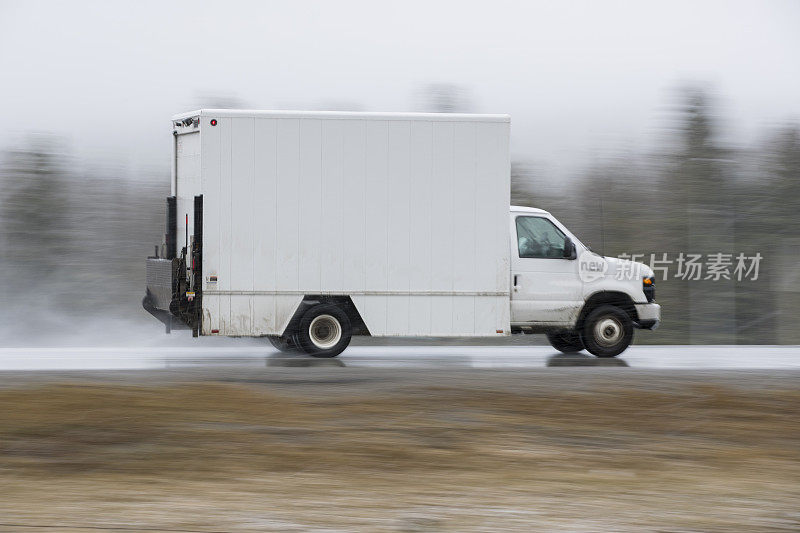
(73, 242)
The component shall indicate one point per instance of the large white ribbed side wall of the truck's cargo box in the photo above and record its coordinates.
(407, 216)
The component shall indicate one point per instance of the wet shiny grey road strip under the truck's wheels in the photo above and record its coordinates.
(249, 354)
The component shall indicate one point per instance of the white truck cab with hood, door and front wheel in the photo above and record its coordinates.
(578, 298)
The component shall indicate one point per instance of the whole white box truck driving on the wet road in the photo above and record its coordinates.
(310, 227)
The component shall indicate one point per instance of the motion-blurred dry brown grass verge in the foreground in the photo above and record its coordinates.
(227, 457)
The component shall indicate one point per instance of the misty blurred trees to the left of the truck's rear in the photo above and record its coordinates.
(72, 242)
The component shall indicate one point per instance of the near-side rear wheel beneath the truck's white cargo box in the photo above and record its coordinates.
(324, 331)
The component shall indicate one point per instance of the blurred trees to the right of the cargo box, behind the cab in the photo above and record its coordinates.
(695, 195)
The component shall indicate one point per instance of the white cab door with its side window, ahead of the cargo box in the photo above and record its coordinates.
(545, 286)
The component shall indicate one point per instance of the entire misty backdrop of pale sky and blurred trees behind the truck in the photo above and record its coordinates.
(645, 130)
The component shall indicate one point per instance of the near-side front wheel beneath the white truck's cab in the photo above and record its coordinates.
(607, 331)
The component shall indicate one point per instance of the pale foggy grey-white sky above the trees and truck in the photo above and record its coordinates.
(580, 79)
